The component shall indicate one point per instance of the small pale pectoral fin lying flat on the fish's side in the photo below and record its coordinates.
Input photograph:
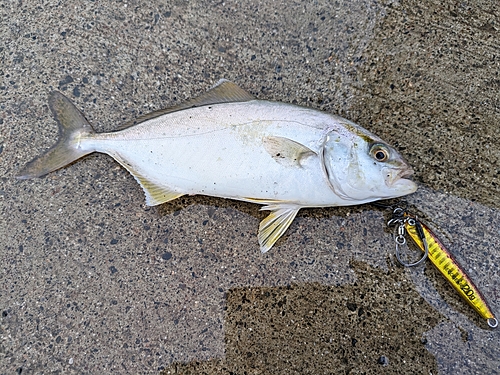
(285, 151)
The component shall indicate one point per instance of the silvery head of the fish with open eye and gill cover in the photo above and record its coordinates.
(361, 167)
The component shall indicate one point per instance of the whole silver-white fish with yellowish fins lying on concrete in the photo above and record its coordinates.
(228, 144)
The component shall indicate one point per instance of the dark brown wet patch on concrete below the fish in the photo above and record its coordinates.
(375, 325)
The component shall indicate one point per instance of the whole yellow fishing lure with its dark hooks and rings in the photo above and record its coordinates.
(427, 241)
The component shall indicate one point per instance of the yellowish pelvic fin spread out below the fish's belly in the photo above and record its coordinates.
(273, 226)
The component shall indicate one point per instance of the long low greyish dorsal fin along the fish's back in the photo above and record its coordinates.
(224, 91)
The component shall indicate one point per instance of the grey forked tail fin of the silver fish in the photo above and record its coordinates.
(72, 126)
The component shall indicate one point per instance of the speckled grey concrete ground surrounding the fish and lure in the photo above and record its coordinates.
(94, 282)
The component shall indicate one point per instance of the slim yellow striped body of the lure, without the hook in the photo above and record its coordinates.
(451, 270)
